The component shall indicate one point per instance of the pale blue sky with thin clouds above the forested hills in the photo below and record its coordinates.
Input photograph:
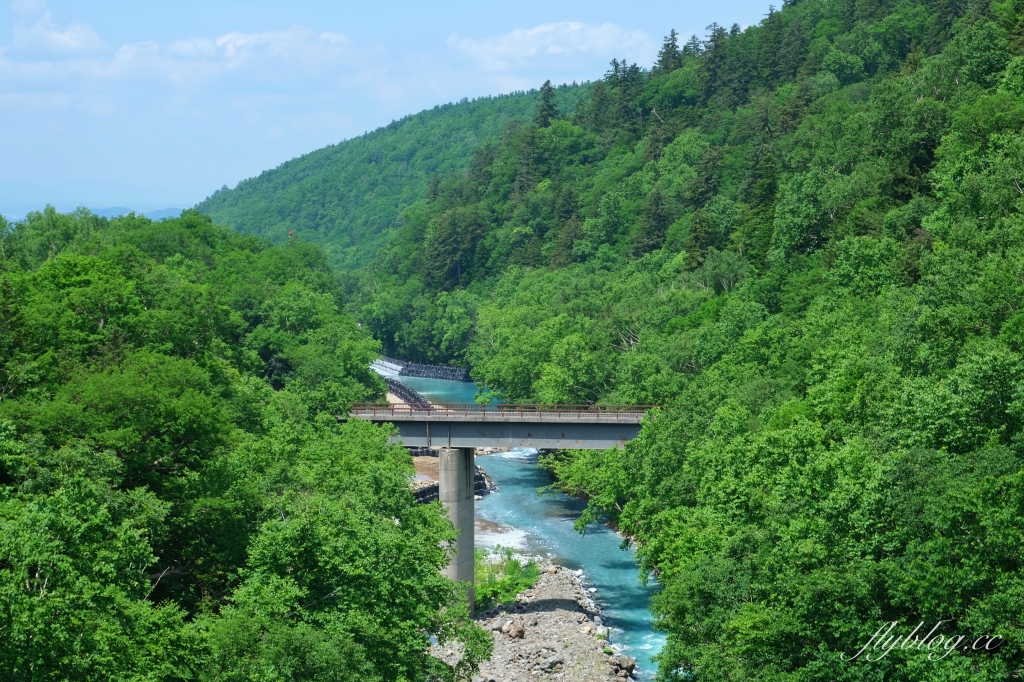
(155, 105)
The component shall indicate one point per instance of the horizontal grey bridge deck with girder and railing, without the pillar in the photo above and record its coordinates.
(564, 427)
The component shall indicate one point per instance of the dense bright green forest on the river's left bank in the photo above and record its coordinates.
(178, 498)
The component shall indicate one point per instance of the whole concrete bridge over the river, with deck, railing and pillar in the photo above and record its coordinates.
(458, 430)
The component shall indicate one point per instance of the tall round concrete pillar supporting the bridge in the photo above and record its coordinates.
(458, 472)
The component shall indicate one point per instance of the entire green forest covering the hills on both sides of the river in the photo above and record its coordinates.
(804, 240)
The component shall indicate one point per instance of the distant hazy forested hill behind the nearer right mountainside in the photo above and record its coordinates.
(349, 197)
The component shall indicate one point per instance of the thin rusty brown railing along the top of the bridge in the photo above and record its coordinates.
(611, 412)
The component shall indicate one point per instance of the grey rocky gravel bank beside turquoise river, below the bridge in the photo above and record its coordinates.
(554, 631)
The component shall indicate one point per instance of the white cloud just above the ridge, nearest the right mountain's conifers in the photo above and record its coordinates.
(561, 39)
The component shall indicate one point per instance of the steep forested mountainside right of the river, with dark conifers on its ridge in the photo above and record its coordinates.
(805, 240)
